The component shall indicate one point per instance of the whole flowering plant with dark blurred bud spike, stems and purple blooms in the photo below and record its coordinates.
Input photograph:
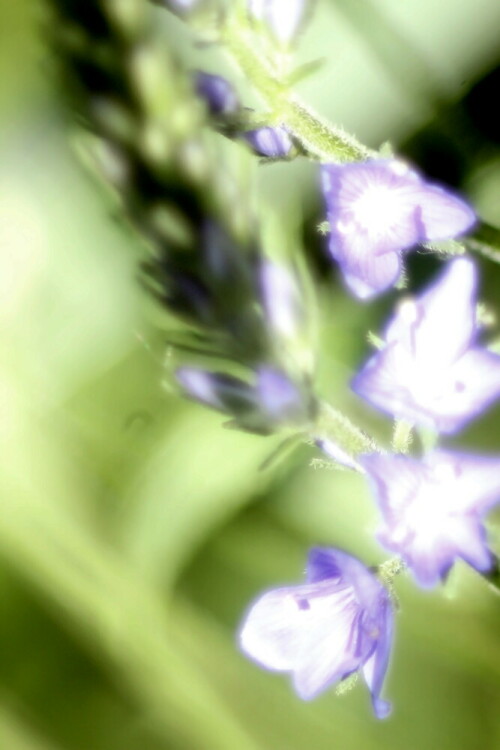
(247, 312)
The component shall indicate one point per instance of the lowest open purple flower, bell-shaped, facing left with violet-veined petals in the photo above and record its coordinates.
(339, 621)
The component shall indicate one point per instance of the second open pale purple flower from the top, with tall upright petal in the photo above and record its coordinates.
(432, 370)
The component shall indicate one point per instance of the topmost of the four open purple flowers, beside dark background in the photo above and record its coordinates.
(376, 210)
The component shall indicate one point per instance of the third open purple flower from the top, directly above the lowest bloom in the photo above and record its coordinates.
(432, 508)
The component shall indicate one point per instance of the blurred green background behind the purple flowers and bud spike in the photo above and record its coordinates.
(134, 528)
